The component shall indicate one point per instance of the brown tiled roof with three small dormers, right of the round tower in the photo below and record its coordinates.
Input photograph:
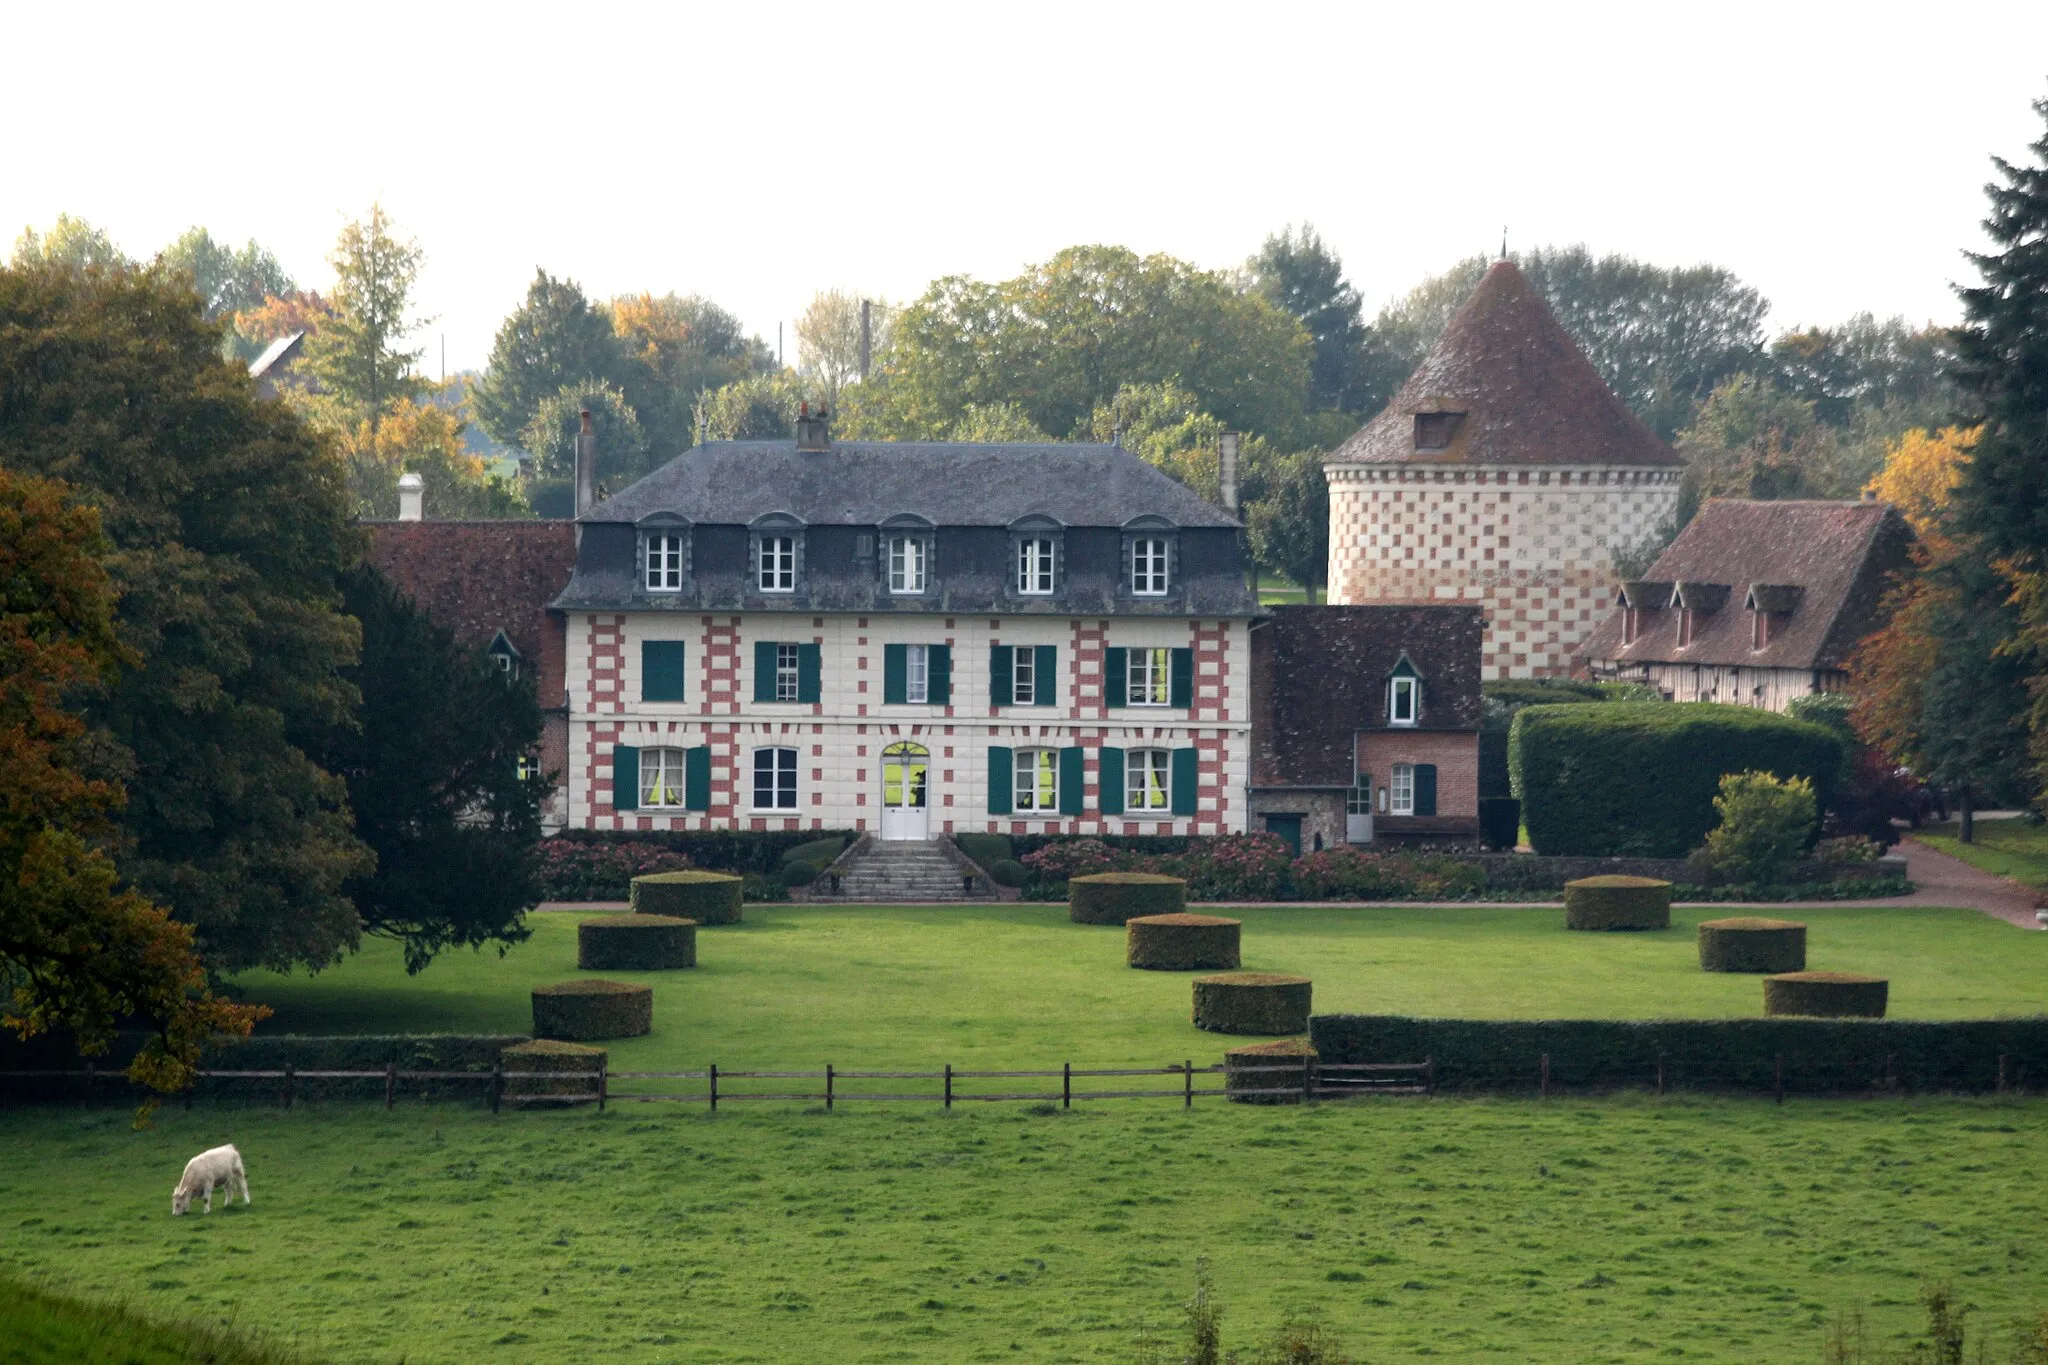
(1818, 566)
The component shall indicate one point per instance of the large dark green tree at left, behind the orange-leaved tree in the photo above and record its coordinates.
(226, 529)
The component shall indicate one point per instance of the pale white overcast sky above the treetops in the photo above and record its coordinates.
(1830, 155)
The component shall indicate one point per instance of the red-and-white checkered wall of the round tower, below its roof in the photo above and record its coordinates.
(1531, 545)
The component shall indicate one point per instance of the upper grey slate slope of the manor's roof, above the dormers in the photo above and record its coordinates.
(949, 484)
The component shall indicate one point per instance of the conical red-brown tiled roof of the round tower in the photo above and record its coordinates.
(1527, 394)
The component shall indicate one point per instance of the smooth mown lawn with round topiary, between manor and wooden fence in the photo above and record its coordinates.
(1023, 987)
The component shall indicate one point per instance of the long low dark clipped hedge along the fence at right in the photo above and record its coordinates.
(1820, 1055)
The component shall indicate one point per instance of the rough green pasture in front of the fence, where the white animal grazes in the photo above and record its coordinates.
(1629, 1229)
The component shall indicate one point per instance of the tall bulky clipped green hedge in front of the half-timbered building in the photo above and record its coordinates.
(1639, 779)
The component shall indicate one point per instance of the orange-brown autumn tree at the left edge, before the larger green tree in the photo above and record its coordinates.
(79, 951)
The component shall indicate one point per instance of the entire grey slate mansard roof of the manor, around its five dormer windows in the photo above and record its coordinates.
(966, 496)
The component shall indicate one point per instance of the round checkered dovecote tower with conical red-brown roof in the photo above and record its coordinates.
(1504, 474)
